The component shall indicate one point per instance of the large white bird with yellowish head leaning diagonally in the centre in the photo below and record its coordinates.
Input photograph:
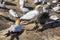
(31, 14)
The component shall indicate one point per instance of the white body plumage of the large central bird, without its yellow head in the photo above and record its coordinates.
(30, 15)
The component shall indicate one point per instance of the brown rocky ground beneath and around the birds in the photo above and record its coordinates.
(50, 32)
